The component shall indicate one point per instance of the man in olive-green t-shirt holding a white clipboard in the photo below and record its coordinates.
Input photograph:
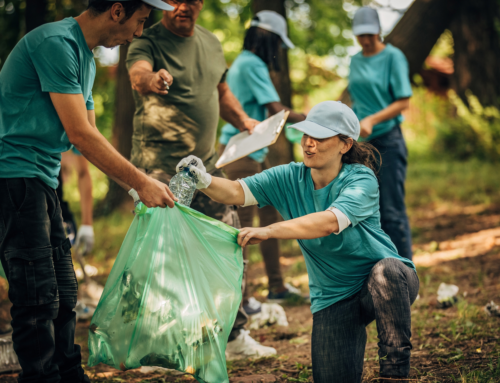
(178, 73)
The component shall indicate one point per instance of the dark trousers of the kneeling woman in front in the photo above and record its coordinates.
(339, 331)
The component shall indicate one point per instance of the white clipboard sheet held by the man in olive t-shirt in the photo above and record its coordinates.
(243, 144)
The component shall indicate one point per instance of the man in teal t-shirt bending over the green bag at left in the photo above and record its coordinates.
(46, 107)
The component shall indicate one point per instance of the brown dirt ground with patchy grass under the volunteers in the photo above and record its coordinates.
(459, 344)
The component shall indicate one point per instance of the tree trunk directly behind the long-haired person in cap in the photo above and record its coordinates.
(282, 151)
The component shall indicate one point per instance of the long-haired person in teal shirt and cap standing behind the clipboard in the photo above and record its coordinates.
(250, 81)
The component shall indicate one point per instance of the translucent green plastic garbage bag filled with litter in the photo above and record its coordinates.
(172, 296)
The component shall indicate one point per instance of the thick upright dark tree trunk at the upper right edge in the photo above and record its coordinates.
(477, 50)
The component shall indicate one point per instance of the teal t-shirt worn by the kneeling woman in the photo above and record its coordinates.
(337, 265)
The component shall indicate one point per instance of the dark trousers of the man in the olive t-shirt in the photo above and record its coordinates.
(224, 213)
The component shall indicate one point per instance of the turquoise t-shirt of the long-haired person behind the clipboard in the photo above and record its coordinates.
(249, 80)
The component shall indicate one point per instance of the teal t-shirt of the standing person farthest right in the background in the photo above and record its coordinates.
(377, 81)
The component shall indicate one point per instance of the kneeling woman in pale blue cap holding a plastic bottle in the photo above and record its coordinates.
(330, 204)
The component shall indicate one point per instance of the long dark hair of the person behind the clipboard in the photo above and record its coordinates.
(264, 44)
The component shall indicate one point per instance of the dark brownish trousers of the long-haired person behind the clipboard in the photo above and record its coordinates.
(268, 215)
